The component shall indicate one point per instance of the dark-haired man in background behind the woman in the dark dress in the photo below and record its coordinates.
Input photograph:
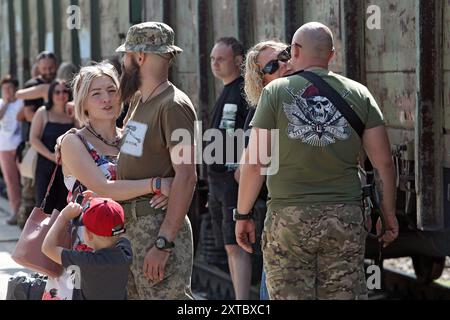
(47, 66)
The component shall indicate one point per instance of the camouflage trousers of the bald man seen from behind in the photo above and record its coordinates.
(315, 252)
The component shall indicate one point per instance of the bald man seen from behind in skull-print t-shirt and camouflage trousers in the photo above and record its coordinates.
(314, 238)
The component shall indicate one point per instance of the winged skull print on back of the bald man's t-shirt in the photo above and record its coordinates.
(313, 119)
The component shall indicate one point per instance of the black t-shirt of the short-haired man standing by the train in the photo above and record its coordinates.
(230, 112)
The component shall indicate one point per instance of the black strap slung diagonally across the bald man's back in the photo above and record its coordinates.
(338, 101)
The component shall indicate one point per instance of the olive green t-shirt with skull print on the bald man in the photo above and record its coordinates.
(318, 148)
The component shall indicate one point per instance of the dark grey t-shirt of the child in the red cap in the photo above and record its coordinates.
(103, 273)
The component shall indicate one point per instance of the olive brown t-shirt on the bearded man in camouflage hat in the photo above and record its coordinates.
(148, 135)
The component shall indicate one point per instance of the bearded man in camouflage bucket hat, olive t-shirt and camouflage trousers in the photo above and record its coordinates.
(161, 241)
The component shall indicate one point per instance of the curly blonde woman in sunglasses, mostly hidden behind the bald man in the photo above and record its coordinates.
(266, 61)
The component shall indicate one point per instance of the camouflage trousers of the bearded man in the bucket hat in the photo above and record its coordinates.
(142, 229)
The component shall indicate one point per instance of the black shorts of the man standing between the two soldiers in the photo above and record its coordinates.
(222, 199)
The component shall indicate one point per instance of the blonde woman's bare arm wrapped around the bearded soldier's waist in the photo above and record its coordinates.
(78, 162)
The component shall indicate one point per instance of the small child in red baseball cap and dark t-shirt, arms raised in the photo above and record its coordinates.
(103, 271)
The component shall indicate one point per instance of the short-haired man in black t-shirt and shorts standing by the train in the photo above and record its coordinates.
(230, 112)
